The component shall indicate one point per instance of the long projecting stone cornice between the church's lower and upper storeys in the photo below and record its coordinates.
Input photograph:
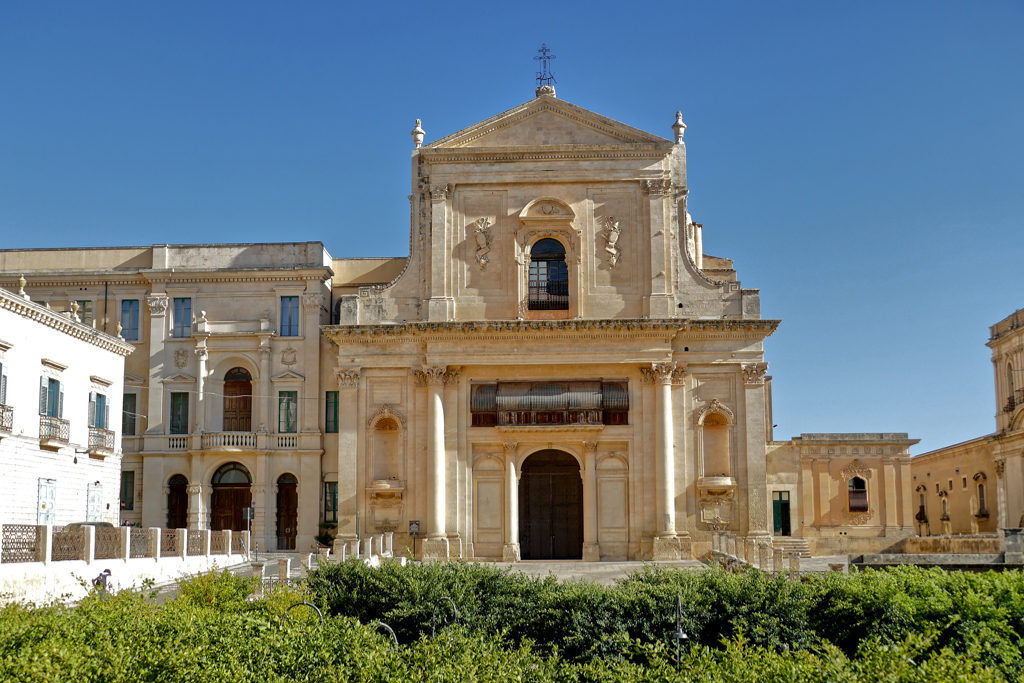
(759, 329)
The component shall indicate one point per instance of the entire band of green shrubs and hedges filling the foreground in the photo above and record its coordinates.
(903, 625)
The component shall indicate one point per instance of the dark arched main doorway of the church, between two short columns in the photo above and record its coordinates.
(551, 507)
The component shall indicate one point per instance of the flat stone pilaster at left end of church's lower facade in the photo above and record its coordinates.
(349, 395)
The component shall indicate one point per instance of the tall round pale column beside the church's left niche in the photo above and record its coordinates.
(436, 545)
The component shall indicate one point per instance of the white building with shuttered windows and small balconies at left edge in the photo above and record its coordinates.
(60, 445)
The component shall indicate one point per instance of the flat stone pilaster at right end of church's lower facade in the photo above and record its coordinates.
(757, 464)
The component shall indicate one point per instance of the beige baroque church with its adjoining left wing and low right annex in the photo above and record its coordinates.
(557, 371)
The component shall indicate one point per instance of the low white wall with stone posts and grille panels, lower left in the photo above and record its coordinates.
(40, 566)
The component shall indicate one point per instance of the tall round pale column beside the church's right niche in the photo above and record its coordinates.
(666, 544)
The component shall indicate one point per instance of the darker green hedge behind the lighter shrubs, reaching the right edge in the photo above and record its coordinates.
(956, 610)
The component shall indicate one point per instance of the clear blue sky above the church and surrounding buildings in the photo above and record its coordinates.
(863, 162)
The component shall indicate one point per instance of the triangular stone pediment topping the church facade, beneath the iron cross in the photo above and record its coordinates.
(548, 122)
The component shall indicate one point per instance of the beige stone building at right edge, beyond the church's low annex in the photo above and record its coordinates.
(977, 487)
